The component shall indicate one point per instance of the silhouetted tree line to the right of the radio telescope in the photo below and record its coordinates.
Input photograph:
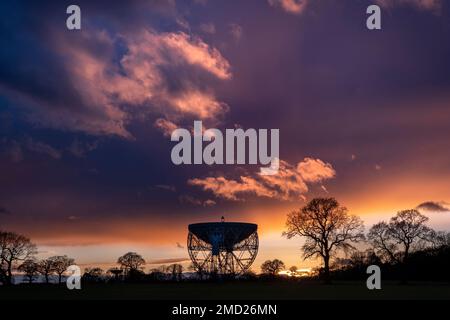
(401, 244)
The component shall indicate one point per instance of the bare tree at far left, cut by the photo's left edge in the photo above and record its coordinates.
(13, 249)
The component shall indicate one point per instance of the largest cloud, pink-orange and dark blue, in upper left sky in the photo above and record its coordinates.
(99, 82)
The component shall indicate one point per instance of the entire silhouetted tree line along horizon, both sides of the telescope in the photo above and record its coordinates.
(404, 246)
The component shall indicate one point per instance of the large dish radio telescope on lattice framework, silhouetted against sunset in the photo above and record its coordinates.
(225, 248)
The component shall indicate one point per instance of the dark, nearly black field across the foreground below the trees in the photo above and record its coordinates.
(229, 290)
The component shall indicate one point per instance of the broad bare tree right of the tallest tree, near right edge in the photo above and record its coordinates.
(405, 233)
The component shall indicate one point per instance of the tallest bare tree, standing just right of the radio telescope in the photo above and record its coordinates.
(327, 227)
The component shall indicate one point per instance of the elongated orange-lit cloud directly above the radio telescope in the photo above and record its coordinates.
(290, 183)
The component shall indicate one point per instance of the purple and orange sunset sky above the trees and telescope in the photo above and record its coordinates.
(86, 117)
